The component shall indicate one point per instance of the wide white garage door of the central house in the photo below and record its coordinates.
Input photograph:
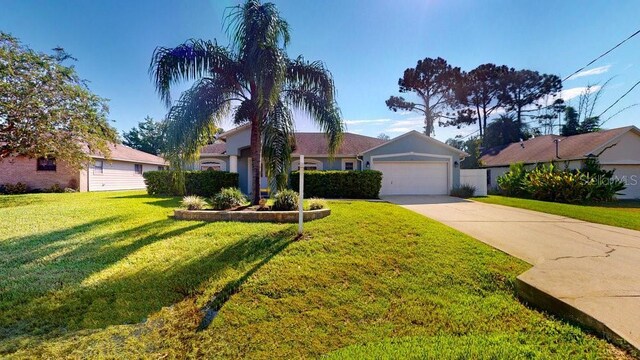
(413, 177)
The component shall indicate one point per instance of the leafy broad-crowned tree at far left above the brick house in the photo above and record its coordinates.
(46, 110)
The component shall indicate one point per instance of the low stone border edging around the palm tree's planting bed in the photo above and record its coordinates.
(249, 216)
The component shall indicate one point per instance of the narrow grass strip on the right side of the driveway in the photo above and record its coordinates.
(623, 213)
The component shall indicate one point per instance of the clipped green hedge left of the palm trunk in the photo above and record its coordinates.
(202, 183)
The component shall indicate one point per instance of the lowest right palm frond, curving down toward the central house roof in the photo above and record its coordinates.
(323, 112)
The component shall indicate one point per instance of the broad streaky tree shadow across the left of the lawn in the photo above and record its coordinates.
(61, 302)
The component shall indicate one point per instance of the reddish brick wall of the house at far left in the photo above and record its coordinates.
(24, 170)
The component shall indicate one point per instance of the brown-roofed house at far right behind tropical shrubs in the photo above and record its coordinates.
(616, 149)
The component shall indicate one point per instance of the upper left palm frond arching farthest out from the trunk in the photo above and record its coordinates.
(189, 61)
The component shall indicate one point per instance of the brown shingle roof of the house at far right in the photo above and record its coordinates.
(543, 148)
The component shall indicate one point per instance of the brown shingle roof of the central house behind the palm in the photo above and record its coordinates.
(313, 144)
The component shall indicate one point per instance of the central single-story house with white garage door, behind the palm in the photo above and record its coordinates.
(411, 163)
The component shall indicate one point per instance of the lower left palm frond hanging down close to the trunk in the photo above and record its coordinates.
(196, 116)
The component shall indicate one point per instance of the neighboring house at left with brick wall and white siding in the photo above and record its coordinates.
(123, 171)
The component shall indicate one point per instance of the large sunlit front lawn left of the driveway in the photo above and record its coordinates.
(112, 275)
